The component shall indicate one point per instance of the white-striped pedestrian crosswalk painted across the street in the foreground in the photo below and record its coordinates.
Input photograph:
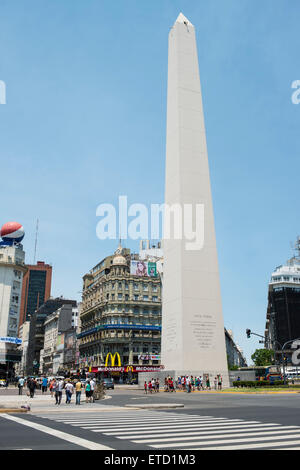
(182, 431)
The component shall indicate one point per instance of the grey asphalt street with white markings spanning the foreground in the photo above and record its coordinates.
(208, 420)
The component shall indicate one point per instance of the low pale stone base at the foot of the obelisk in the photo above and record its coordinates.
(162, 374)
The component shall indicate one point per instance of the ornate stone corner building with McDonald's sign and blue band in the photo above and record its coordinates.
(120, 313)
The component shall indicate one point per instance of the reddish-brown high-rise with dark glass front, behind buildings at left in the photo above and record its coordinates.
(36, 289)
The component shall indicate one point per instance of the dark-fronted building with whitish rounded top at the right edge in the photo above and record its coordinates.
(283, 311)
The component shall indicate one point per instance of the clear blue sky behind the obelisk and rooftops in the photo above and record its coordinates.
(85, 121)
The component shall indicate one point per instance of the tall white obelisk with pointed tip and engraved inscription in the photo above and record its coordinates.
(193, 340)
